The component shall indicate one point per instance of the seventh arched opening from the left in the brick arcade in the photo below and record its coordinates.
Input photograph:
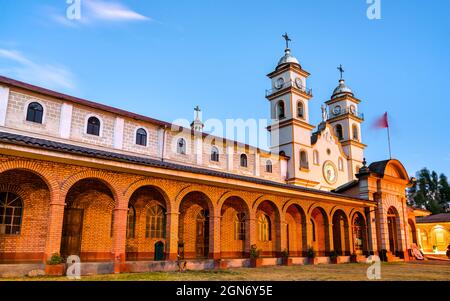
(296, 231)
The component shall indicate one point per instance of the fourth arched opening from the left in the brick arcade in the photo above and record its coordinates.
(194, 226)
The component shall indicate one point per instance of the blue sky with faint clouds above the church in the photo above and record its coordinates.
(161, 58)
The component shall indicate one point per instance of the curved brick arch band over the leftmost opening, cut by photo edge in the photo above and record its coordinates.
(38, 170)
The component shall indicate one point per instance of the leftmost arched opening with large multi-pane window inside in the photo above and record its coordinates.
(24, 213)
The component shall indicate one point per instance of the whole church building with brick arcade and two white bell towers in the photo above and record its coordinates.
(129, 193)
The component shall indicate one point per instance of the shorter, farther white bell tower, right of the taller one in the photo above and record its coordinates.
(346, 120)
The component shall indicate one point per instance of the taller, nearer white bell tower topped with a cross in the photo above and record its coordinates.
(289, 110)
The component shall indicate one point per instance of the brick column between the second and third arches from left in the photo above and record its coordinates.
(119, 238)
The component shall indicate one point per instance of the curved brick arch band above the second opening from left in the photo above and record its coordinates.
(103, 177)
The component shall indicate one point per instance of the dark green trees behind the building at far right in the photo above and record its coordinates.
(431, 191)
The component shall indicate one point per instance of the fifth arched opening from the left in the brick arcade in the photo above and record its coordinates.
(234, 226)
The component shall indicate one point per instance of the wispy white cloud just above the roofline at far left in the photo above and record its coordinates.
(22, 68)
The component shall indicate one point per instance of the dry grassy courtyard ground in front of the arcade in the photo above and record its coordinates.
(396, 271)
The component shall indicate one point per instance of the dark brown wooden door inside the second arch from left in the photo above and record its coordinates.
(71, 234)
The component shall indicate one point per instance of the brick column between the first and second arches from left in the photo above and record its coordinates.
(54, 233)
